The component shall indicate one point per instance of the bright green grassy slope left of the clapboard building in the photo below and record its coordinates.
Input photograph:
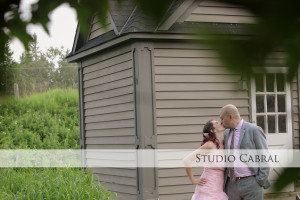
(44, 121)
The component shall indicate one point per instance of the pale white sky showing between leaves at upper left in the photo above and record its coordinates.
(62, 28)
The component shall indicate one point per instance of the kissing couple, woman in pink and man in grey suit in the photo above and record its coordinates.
(233, 183)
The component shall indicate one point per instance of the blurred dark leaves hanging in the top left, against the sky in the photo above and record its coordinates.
(14, 25)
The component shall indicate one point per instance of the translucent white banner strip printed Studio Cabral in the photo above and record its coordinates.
(152, 158)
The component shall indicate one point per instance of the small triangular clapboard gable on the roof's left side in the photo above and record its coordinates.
(98, 29)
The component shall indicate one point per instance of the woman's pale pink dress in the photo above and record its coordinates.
(213, 188)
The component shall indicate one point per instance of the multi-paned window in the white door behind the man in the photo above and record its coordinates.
(270, 108)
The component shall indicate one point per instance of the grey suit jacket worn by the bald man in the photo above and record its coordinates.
(252, 137)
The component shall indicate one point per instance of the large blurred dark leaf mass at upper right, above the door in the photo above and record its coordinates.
(276, 29)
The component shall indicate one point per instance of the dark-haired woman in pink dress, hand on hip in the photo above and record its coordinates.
(210, 185)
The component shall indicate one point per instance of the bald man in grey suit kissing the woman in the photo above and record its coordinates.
(245, 182)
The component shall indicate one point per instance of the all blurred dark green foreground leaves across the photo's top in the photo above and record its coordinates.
(277, 27)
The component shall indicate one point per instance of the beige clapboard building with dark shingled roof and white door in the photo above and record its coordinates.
(144, 85)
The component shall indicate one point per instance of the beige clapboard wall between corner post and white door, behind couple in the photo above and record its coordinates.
(190, 88)
